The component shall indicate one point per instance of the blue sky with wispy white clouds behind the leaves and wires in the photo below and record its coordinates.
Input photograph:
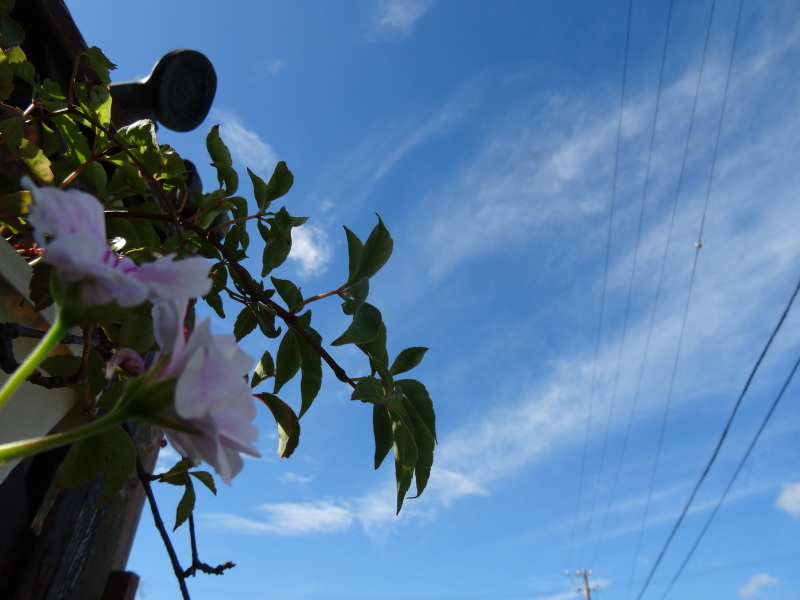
(485, 135)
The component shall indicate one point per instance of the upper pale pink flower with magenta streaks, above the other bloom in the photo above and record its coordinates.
(71, 227)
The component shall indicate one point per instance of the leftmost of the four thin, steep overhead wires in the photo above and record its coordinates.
(605, 282)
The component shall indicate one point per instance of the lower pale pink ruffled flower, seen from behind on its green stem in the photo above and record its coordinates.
(212, 397)
